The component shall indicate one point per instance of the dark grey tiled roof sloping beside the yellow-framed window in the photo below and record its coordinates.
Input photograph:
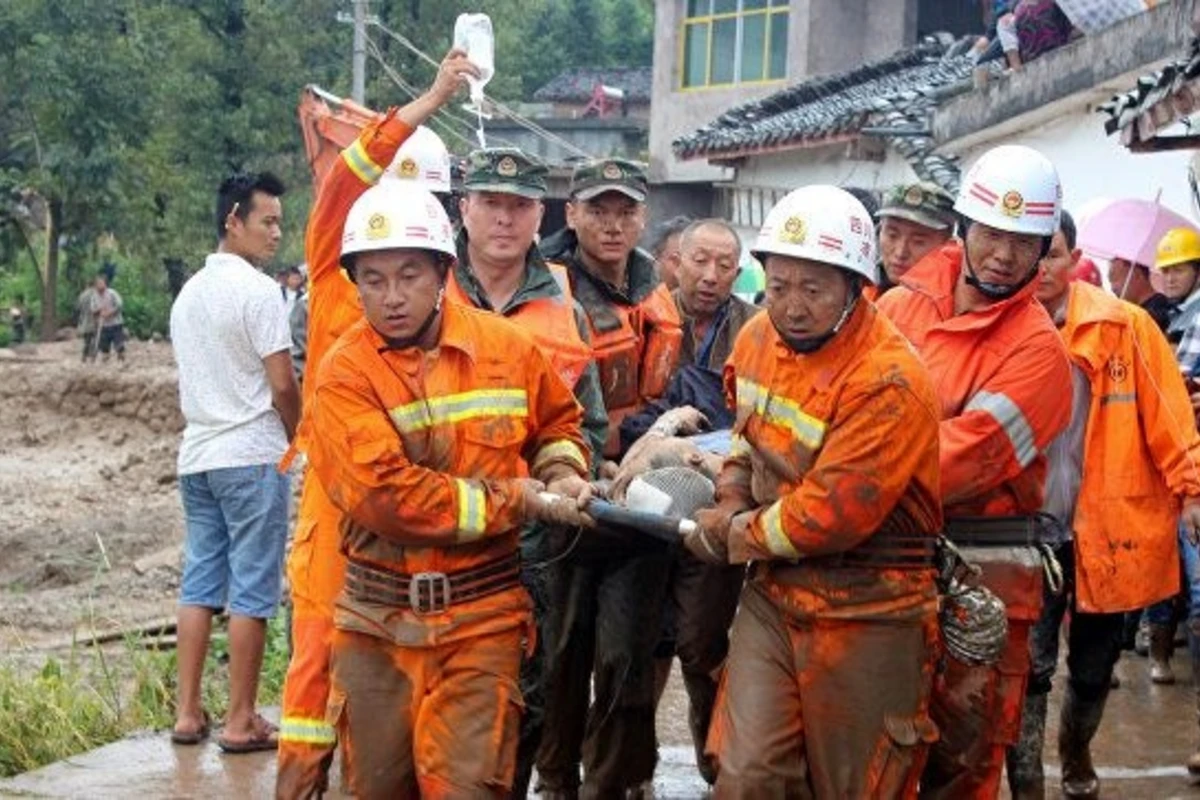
(897, 94)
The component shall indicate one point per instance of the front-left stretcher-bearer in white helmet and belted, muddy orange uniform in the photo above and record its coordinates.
(434, 430)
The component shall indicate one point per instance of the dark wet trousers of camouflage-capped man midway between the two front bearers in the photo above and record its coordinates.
(605, 618)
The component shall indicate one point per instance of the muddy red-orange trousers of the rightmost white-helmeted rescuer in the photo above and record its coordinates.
(979, 712)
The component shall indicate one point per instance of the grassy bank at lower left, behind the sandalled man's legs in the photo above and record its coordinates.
(95, 696)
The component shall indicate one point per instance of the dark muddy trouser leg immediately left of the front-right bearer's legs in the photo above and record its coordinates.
(701, 601)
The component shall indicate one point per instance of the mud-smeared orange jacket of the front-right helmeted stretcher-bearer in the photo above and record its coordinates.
(838, 442)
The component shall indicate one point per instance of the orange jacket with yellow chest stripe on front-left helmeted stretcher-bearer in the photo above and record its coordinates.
(423, 450)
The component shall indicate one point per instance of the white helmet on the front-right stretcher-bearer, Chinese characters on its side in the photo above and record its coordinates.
(821, 224)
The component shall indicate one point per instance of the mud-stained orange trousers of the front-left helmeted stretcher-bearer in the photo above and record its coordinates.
(437, 723)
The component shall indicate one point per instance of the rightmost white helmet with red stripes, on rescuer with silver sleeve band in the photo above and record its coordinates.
(1012, 188)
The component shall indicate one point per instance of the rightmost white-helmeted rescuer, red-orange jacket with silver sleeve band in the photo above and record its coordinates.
(1004, 386)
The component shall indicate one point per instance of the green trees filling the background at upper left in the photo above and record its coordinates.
(119, 119)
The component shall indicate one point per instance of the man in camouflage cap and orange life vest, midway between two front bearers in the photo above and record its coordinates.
(608, 607)
